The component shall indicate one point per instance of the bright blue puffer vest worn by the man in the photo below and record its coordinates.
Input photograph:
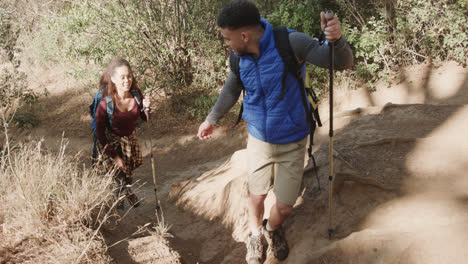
(269, 118)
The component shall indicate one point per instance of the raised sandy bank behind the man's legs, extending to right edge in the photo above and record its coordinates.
(401, 187)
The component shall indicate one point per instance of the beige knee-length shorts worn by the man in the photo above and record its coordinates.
(277, 165)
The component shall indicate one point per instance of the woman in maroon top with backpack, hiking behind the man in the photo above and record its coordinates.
(118, 144)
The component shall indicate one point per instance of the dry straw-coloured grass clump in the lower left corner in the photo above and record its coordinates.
(51, 209)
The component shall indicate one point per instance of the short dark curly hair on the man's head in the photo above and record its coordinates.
(237, 14)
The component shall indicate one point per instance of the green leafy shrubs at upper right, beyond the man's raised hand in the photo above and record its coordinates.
(385, 38)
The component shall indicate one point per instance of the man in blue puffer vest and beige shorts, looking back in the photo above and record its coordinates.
(277, 122)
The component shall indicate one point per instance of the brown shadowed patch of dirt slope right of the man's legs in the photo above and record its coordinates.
(375, 164)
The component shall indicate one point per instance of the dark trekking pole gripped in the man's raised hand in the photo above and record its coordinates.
(329, 15)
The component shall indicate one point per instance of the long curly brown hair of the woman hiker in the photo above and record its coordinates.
(106, 84)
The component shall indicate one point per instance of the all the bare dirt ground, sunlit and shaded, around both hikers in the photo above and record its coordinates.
(400, 190)
